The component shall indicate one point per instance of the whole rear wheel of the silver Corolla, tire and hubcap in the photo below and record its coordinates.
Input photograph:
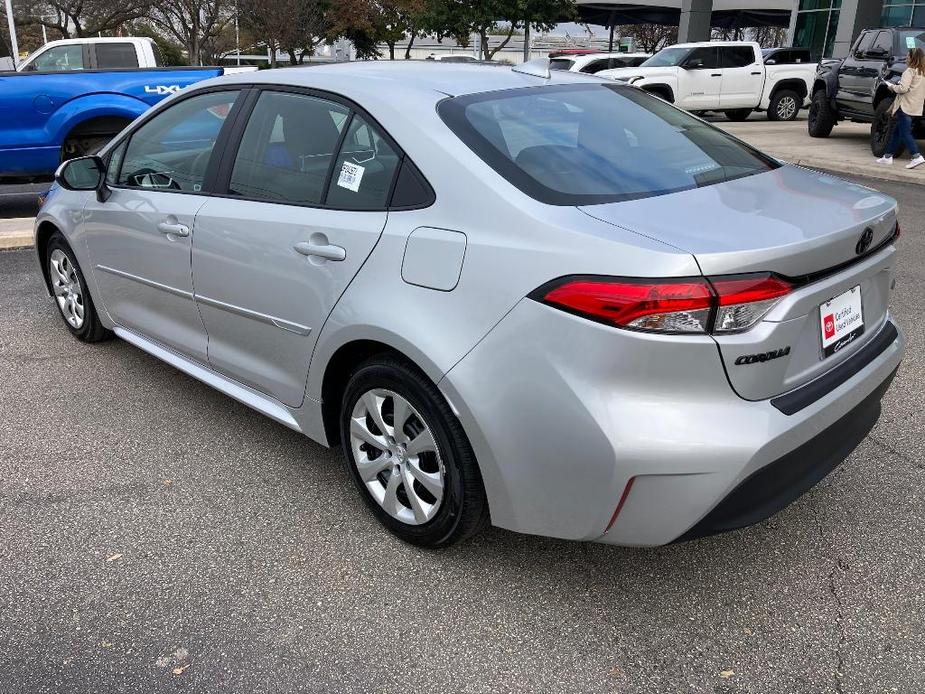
(409, 456)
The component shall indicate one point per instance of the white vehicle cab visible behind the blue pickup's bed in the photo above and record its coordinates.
(69, 55)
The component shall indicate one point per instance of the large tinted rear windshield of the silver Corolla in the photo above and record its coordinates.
(588, 143)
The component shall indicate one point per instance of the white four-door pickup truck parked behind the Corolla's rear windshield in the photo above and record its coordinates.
(727, 76)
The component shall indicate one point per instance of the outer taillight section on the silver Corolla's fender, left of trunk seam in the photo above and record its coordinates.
(678, 306)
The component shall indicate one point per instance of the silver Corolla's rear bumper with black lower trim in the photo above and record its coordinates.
(566, 415)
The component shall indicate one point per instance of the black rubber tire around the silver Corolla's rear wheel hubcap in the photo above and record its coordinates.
(463, 509)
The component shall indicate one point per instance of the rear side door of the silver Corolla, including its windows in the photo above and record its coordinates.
(305, 202)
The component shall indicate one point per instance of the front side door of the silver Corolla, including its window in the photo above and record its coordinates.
(139, 238)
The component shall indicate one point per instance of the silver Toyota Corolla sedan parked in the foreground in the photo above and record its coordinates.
(496, 304)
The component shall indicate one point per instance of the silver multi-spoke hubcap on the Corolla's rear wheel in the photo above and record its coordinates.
(397, 457)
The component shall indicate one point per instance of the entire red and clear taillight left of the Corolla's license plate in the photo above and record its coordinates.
(678, 306)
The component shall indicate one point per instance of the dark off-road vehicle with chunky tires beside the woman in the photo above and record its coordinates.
(853, 88)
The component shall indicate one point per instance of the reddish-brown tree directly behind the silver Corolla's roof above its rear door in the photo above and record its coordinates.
(294, 26)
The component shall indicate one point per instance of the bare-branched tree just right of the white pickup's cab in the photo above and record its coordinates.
(198, 25)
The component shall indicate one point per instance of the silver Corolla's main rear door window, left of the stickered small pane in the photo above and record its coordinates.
(288, 148)
